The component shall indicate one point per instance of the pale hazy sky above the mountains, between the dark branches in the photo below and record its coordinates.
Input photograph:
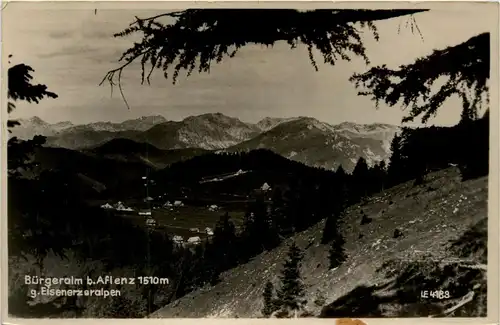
(72, 49)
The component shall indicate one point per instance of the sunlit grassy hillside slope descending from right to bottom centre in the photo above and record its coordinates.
(423, 213)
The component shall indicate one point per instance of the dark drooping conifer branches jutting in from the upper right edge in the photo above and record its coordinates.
(466, 66)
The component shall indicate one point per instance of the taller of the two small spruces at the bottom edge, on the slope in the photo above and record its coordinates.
(291, 293)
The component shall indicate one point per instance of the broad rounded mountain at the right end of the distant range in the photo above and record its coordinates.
(319, 144)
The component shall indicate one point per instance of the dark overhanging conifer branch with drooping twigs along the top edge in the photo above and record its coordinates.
(196, 38)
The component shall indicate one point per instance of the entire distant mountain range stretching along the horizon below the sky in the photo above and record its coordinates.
(303, 139)
